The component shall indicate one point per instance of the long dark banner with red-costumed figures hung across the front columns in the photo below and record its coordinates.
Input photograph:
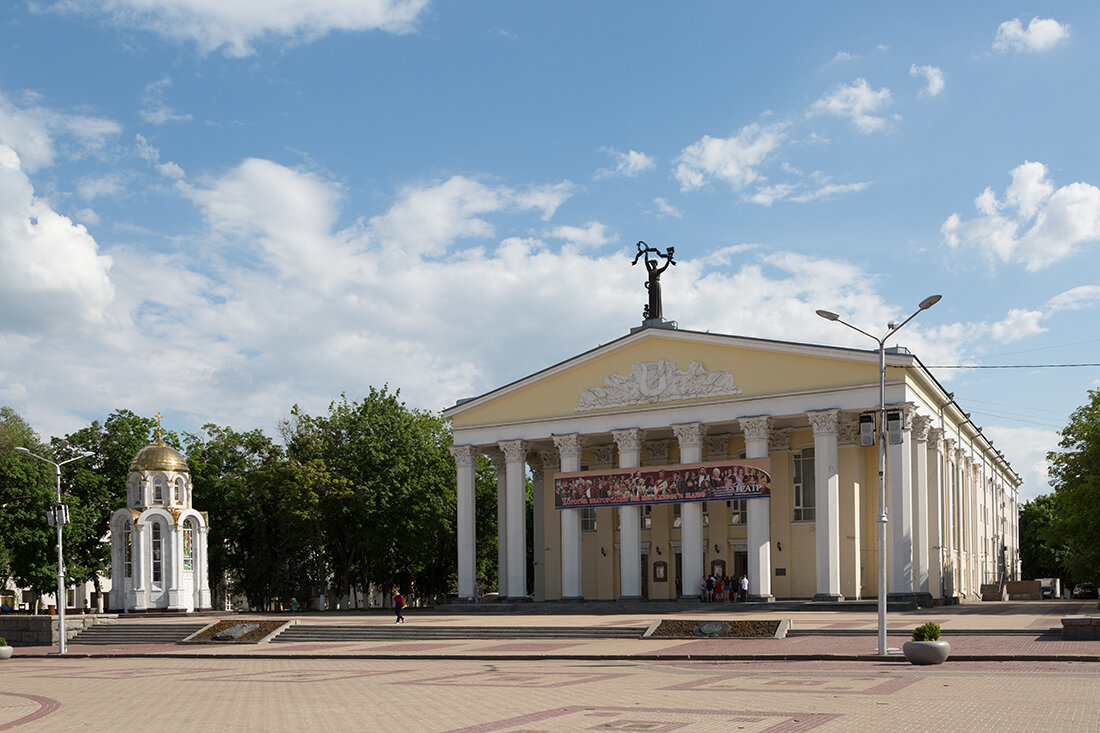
(665, 485)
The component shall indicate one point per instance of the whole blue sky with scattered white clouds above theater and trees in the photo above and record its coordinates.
(221, 210)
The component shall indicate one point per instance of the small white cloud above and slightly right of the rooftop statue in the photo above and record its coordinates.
(735, 160)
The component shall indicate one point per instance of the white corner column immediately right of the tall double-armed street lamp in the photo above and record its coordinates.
(900, 505)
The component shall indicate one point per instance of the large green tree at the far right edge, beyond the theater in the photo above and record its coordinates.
(1075, 475)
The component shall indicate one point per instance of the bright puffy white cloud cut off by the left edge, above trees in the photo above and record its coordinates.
(51, 271)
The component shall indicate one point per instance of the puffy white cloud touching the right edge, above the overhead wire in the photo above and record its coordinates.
(1037, 225)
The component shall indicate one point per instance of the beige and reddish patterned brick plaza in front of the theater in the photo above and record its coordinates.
(513, 685)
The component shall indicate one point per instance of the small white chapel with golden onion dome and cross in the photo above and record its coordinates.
(159, 542)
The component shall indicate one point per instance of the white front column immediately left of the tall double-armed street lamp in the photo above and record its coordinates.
(828, 496)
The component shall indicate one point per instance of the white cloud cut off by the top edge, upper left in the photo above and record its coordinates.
(236, 27)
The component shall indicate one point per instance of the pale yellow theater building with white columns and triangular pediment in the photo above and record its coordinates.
(680, 401)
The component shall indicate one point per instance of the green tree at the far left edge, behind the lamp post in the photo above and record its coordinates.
(28, 550)
